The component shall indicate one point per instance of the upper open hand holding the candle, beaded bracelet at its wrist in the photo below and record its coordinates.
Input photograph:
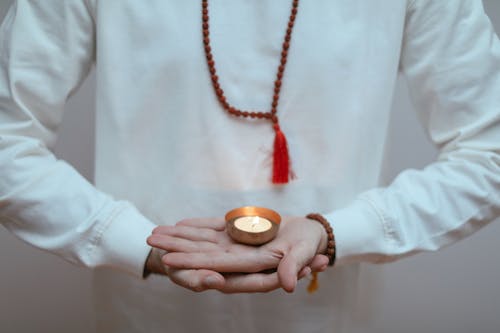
(203, 244)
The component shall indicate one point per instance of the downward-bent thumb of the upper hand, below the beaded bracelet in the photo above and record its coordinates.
(291, 264)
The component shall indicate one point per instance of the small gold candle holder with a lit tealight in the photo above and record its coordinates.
(252, 225)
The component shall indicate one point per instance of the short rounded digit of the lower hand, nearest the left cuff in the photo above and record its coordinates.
(196, 280)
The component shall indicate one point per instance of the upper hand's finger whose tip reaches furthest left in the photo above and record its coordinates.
(169, 243)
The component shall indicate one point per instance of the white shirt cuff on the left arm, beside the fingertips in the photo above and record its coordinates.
(122, 243)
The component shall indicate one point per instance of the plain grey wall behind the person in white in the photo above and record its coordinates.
(455, 290)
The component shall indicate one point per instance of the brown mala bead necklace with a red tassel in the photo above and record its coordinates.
(281, 160)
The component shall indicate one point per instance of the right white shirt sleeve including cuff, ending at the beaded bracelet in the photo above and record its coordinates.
(450, 58)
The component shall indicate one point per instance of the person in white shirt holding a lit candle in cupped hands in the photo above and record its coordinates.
(166, 150)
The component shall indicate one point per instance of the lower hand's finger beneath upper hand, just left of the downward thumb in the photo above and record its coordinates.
(250, 283)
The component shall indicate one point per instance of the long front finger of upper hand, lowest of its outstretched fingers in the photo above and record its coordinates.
(243, 259)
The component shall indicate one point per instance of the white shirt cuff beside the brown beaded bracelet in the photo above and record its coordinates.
(360, 234)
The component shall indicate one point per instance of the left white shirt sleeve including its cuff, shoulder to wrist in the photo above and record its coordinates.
(46, 50)
